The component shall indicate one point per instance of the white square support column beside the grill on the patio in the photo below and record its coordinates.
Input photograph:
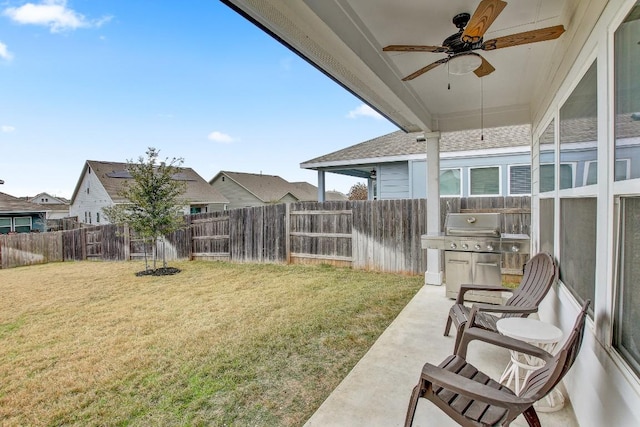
(433, 275)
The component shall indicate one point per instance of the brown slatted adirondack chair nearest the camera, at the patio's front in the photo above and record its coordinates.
(471, 398)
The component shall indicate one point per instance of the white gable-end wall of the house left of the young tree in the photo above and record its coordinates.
(91, 198)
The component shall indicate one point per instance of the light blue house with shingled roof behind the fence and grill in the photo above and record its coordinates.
(491, 162)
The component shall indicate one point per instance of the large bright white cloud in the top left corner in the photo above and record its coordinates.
(53, 14)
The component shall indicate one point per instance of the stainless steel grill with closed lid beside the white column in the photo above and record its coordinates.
(473, 246)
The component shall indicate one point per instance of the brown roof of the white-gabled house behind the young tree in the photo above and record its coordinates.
(113, 175)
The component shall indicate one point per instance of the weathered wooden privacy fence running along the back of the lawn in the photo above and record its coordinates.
(381, 235)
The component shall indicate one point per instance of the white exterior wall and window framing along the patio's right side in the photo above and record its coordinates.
(602, 387)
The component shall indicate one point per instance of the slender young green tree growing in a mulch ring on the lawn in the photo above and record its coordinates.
(154, 207)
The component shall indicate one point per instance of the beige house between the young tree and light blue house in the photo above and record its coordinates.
(248, 189)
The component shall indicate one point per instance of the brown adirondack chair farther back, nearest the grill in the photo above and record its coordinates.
(540, 272)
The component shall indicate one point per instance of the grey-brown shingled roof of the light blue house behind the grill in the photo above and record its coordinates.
(399, 144)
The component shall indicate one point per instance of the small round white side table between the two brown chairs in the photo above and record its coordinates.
(520, 367)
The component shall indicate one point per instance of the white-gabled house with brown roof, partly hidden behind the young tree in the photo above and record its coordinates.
(100, 184)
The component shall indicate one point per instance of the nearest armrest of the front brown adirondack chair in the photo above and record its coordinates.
(470, 388)
